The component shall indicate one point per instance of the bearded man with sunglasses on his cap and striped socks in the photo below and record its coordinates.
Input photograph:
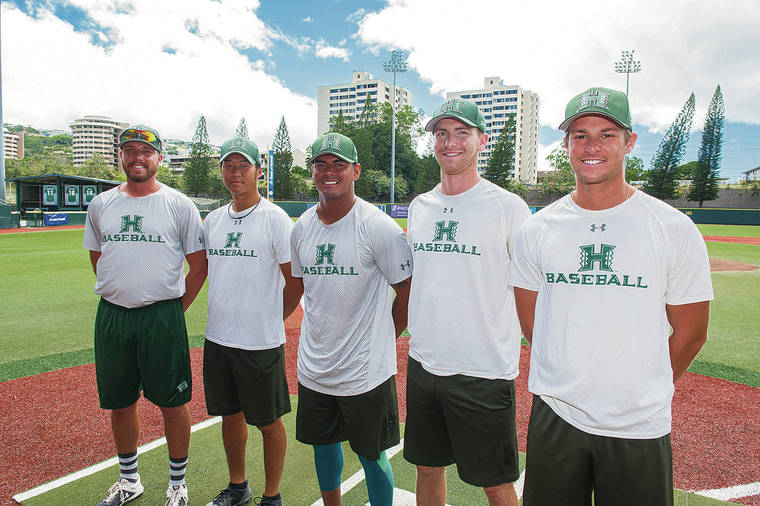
(139, 235)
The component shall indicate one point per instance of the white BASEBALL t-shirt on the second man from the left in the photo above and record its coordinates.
(245, 281)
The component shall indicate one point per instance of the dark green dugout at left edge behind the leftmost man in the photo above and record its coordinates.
(56, 199)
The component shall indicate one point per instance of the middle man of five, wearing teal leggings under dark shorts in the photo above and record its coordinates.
(345, 254)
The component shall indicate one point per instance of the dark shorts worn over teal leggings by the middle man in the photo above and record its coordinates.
(369, 421)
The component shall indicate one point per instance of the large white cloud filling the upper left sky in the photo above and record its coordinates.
(53, 74)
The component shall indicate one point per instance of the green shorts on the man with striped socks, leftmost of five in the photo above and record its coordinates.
(142, 348)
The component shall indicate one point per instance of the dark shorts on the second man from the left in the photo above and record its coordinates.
(251, 381)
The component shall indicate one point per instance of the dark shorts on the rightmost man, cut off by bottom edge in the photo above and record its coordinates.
(564, 464)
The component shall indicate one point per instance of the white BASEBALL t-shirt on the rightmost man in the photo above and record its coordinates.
(600, 355)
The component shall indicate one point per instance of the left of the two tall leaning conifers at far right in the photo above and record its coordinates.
(661, 178)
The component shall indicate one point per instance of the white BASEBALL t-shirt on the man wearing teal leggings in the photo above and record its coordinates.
(348, 344)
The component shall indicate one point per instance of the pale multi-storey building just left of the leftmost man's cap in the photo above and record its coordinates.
(96, 134)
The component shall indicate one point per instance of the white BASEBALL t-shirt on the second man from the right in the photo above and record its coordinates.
(462, 314)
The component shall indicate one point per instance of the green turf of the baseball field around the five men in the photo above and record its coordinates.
(47, 319)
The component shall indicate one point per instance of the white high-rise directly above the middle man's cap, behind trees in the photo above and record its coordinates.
(350, 98)
